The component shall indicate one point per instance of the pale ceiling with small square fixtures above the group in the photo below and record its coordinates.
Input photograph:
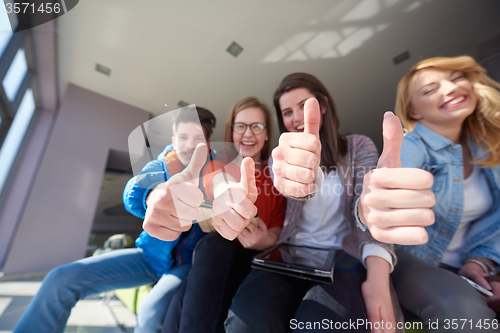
(163, 51)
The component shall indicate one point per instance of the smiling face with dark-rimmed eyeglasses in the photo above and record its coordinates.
(250, 144)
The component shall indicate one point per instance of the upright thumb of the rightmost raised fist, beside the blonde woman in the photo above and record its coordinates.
(393, 139)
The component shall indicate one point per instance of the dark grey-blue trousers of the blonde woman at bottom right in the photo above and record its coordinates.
(439, 296)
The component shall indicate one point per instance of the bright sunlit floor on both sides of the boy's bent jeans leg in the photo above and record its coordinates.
(100, 314)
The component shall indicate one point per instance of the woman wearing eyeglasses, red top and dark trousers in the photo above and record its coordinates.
(220, 265)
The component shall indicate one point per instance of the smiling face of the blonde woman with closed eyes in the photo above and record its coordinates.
(441, 99)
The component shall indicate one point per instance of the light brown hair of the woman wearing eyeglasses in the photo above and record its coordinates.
(240, 106)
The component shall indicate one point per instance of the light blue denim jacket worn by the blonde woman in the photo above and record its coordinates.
(422, 148)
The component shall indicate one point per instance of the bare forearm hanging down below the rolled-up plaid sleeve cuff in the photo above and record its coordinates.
(376, 292)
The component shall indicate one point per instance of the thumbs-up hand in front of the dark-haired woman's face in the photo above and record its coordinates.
(297, 157)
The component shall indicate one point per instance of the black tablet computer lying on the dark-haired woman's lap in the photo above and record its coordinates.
(305, 262)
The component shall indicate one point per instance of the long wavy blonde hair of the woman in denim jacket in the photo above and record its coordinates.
(483, 125)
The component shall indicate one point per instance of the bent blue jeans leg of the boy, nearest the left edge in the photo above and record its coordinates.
(65, 285)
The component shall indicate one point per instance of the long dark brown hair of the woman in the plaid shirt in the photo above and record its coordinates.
(334, 145)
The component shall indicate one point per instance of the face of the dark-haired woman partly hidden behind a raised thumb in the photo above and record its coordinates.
(292, 108)
